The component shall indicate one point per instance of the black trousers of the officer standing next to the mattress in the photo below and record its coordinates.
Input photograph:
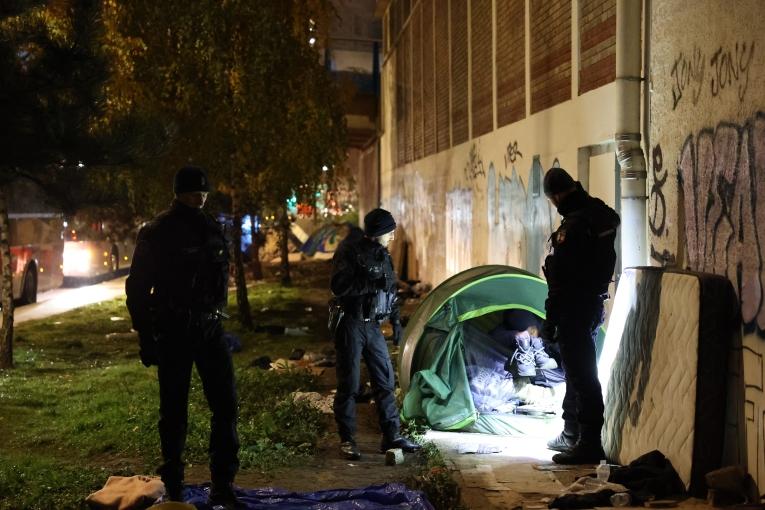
(583, 403)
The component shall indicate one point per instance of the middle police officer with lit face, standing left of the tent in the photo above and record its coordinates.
(364, 286)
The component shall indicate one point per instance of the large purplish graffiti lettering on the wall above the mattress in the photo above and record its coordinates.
(722, 178)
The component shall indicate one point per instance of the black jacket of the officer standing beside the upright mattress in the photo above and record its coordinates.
(581, 264)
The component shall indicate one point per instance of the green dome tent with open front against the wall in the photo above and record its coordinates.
(456, 314)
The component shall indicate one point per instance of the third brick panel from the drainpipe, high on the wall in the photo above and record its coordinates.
(511, 61)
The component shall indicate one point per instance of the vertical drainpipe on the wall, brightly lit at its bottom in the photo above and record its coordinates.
(629, 152)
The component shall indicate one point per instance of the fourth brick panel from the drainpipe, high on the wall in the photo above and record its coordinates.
(481, 71)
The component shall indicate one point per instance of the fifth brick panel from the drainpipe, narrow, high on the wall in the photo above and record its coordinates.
(459, 56)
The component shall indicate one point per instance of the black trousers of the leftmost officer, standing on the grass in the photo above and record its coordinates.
(200, 344)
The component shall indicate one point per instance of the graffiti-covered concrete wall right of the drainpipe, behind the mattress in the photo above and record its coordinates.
(707, 164)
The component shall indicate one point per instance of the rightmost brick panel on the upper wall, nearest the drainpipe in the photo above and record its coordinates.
(597, 43)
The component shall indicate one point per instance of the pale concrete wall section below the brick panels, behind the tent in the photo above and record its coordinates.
(481, 202)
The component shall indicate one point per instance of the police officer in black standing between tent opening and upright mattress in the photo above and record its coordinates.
(578, 272)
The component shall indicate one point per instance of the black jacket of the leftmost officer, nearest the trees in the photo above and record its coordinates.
(180, 267)
